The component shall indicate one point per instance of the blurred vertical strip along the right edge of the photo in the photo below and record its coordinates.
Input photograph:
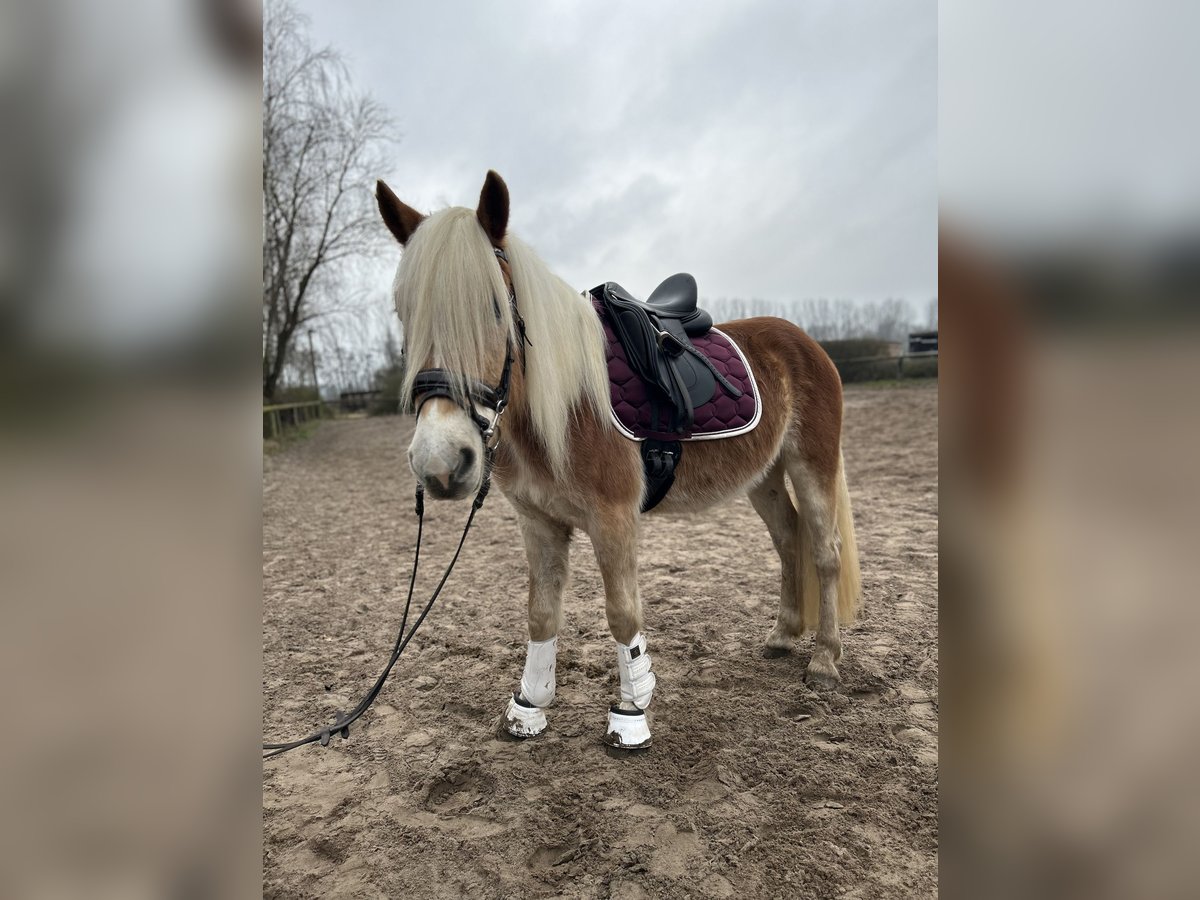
(1070, 280)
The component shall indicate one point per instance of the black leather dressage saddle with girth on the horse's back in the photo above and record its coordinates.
(656, 337)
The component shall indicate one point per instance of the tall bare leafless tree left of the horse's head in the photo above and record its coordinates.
(322, 149)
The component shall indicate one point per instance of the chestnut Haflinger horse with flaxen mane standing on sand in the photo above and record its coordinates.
(481, 309)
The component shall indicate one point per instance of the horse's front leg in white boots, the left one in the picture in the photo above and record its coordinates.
(548, 548)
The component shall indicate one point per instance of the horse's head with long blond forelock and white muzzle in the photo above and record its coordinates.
(453, 292)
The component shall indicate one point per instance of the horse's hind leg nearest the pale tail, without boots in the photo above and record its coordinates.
(818, 501)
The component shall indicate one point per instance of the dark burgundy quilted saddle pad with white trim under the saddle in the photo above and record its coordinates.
(639, 416)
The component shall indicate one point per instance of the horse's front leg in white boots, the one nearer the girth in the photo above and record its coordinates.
(615, 539)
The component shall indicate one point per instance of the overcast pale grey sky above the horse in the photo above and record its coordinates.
(777, 151)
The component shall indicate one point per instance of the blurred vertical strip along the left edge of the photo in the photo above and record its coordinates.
(130, 272)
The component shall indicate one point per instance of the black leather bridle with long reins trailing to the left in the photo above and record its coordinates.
(428, 385)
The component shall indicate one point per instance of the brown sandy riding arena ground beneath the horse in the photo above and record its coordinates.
(755, 787)
